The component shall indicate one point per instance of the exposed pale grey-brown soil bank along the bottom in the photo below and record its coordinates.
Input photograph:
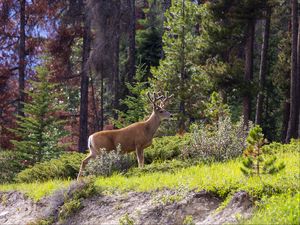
(158, 207)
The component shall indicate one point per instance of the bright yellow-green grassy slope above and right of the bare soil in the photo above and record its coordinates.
(221, 178)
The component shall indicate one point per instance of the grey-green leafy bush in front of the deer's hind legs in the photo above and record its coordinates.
(109, 162)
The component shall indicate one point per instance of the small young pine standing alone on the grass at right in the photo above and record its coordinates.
(257, 161)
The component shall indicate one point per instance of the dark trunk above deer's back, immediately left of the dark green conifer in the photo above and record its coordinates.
(131, 61)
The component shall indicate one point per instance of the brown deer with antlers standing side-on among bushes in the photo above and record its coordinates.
(135, 137)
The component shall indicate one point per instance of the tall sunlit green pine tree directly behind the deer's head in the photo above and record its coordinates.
(179, 72)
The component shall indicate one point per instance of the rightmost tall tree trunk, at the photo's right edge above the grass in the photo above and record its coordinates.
(291, 133)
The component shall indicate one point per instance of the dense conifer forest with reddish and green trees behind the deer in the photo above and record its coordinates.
(103, 57)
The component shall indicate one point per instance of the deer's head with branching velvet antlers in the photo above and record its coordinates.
(159, 103)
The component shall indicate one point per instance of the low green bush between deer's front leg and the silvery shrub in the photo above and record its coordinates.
(166, 148)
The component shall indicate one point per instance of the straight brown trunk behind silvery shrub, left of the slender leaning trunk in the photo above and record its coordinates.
(248, 70)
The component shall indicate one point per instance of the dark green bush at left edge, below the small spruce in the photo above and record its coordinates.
(11, 162)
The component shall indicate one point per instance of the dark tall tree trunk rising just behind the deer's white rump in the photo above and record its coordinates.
(84, 91)
